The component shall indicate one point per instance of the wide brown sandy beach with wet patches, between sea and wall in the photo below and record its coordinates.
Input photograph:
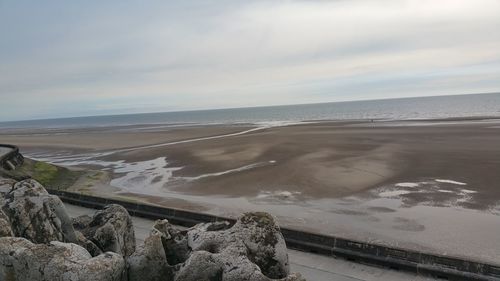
(430, 185)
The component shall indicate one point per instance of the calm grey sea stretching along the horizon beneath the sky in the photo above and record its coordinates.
(389, 109)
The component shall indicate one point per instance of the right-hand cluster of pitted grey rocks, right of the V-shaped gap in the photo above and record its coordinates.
(253, 249)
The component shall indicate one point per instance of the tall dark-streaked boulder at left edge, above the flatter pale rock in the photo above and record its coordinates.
(35, 214)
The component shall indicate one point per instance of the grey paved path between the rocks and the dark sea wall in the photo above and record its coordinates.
(312, 267)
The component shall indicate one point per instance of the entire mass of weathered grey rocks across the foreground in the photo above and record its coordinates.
(103, 245)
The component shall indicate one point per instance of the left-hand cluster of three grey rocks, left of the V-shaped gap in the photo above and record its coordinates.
(42, 225)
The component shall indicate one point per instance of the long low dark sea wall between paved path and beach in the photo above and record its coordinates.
(445, 267)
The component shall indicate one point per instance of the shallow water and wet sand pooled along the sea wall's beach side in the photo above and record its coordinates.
(430, 214)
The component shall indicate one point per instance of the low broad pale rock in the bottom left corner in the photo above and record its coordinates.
(21, 260)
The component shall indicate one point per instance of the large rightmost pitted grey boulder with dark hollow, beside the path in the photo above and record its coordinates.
(255, 239)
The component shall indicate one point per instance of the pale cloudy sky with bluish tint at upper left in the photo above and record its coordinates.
(78, 58)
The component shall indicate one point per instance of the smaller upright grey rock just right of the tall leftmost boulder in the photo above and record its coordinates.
(110, 229)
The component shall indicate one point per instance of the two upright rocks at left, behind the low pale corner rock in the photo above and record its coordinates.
(28, 210)
